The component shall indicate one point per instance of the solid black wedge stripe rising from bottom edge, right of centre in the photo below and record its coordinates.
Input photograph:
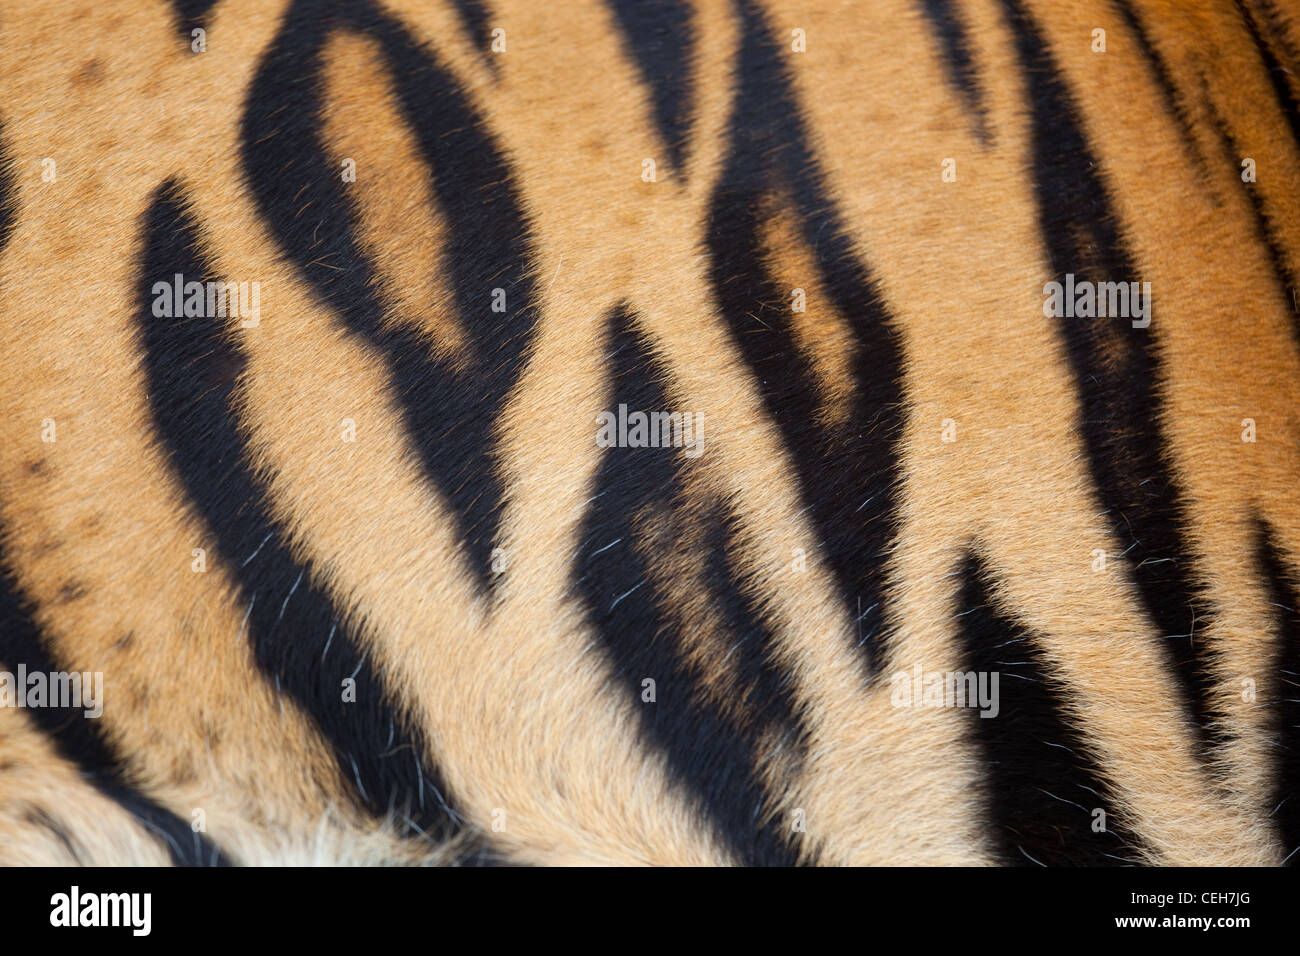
(1042, 786)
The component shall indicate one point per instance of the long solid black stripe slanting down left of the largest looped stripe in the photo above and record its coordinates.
(297, 635)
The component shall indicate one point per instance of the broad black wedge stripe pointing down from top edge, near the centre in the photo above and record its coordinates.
(661, 38)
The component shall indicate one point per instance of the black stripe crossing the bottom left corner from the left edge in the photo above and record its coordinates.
(80, 739)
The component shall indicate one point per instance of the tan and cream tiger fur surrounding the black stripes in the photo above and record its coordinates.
(521, 712)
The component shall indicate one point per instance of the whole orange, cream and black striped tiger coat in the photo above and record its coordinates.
(363, 587)
